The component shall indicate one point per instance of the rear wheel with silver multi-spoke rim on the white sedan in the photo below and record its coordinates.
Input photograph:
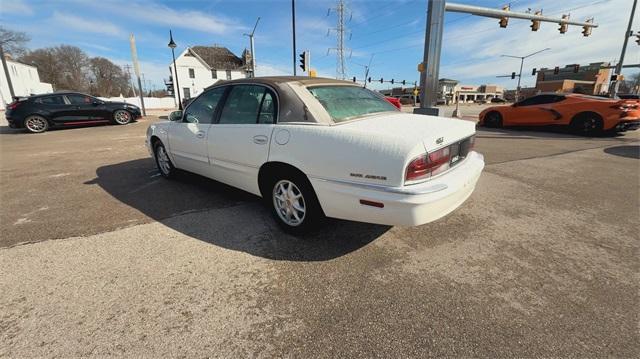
(293, 203)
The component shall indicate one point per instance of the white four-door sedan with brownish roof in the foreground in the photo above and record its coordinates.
(314, 147)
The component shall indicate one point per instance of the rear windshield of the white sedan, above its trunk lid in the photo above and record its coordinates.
(346, 102)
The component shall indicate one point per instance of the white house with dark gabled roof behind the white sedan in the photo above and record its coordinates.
(202, 66)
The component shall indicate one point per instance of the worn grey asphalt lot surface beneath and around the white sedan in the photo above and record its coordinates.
(101, 256)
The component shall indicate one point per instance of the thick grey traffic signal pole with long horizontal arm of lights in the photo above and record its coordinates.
(429, 68)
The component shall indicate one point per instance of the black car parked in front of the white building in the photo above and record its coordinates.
(62, 109)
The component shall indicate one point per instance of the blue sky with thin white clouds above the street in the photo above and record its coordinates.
(389, 34)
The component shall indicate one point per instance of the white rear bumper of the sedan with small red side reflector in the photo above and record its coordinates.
(404, 206)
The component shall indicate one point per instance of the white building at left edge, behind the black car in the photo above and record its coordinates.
(25, 80)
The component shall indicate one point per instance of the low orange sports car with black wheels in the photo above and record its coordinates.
(584, 114)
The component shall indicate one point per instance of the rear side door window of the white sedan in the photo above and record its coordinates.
(249, 104)
